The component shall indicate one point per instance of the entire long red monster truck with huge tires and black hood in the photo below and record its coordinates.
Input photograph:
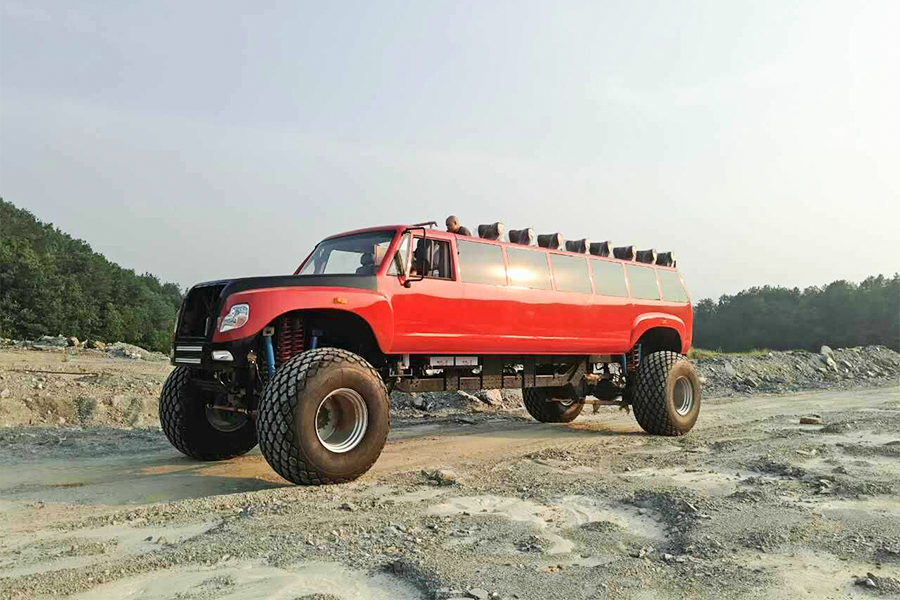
(302, 364)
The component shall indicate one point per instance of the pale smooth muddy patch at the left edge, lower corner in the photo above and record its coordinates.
(71, 550)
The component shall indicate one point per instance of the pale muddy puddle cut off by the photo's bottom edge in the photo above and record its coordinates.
(248, 581)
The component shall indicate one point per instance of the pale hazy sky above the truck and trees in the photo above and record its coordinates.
(758, 140)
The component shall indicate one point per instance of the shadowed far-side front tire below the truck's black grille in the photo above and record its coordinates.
(191, 427)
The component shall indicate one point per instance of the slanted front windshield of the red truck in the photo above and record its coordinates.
(359, 254)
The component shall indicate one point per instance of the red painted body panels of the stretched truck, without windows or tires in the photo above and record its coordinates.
(441, 316)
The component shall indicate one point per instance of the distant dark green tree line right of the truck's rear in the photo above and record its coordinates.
(840, 314)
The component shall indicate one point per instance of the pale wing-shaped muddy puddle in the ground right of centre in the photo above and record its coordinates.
(565, 513)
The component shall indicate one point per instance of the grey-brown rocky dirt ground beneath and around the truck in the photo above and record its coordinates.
(462, 504)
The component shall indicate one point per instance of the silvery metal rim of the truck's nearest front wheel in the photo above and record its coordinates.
(341, 420)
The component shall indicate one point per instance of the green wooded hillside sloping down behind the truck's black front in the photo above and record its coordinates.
(51, 283)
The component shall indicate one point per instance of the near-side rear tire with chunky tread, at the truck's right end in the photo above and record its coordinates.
(666, 397)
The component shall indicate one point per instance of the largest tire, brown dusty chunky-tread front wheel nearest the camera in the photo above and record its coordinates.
(324, 417)
